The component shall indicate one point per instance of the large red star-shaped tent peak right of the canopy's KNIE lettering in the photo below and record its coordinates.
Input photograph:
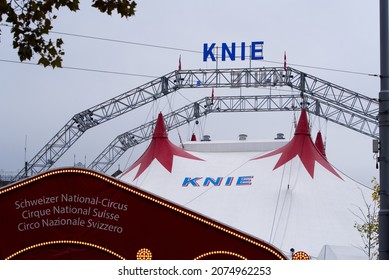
(301, 145)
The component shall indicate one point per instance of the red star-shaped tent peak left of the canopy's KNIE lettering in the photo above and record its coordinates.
(160, 149)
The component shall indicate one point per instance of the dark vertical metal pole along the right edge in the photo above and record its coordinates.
(383, 122)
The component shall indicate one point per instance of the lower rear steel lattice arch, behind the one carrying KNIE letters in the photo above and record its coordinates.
(232, 104)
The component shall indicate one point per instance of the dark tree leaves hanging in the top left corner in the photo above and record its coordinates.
(31, 20)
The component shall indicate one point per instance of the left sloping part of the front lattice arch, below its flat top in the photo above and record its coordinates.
(94, 116)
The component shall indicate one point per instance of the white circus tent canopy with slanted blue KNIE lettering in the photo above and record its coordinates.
(286, 207)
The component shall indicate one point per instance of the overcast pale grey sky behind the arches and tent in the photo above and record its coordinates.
(36, 102)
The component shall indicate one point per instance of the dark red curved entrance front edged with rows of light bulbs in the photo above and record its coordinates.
(74, 213)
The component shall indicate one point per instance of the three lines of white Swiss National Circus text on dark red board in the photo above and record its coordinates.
(91, 212)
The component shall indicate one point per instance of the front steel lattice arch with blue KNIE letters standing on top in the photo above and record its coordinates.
(343, 99)
